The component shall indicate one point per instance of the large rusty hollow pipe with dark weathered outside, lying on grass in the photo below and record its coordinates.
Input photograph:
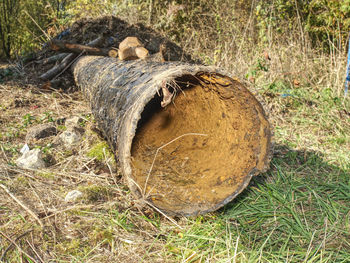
(190, 157)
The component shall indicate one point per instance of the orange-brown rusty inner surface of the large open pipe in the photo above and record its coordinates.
(196, 173)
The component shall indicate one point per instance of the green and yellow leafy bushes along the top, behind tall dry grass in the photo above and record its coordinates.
(25, 25)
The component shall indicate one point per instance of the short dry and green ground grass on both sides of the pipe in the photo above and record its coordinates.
(296, 212)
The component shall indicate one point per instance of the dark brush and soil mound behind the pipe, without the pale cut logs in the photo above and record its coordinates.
(105, 34)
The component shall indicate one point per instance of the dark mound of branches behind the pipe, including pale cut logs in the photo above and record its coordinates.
(114, 40)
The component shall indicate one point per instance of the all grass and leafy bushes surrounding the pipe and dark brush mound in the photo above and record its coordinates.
(292, 52)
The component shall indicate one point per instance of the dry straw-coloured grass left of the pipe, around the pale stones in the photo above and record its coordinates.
(104, 225)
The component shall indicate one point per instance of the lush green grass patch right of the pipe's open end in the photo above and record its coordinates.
(290, 214)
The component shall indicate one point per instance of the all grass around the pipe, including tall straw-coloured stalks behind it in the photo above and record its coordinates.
(298, 211)
